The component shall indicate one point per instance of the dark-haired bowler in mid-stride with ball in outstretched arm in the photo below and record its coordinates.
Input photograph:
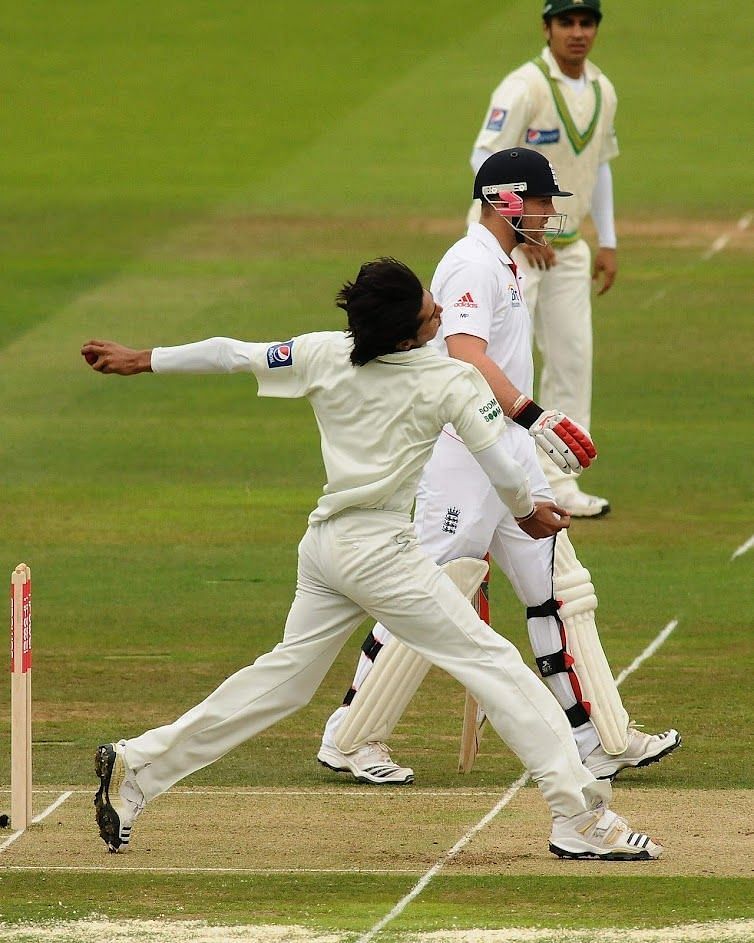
(381, 398)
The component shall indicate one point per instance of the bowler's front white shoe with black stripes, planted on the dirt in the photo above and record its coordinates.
(601, 834)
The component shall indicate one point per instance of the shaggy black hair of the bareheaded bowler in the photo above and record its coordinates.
(383, 306)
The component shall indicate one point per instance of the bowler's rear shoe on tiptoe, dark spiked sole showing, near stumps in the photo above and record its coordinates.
(116, 814)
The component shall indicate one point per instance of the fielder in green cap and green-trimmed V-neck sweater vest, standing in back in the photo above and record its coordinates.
(563, 106)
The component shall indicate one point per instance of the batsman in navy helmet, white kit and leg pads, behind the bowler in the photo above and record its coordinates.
(458, 513)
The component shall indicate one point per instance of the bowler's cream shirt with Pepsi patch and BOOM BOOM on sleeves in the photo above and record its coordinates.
(378, 423)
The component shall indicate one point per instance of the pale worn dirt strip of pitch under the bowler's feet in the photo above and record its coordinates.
(705, 833)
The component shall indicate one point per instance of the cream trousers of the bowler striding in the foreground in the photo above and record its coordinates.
(370, 562)
